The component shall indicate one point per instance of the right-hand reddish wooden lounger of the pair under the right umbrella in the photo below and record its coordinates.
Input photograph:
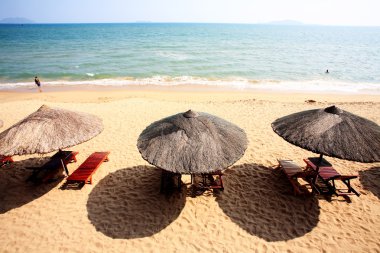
(325, 182)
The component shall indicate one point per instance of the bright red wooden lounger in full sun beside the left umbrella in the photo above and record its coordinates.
(85, 171)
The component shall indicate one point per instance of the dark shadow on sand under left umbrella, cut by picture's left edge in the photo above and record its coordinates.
(15, 191)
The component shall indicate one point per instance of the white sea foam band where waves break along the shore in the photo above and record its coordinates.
(237, 83)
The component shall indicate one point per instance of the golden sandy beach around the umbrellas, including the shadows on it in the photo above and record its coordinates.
(123, 211)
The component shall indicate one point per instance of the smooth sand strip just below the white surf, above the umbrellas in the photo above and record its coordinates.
(97, 94)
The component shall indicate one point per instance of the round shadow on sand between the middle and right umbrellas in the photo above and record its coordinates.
(259, 199)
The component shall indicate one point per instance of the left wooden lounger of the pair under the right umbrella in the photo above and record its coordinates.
(293, 172)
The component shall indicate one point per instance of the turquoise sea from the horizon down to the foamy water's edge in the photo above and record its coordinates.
(241, 56)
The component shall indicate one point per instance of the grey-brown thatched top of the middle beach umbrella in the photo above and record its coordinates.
(192, 142)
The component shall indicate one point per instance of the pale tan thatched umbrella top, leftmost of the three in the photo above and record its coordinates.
(49, 129)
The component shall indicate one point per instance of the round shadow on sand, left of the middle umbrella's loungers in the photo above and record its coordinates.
(127, 204)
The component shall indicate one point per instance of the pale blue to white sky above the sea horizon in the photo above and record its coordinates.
(324, 12)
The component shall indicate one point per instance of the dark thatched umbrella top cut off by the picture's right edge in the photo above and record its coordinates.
(333, 132)
